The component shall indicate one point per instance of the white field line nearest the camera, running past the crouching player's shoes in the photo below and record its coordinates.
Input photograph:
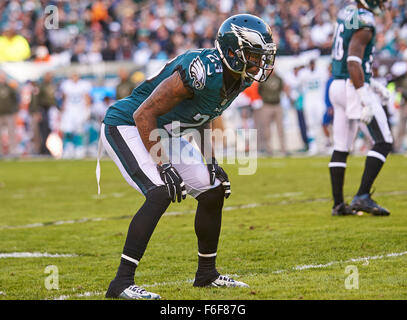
(296, 268)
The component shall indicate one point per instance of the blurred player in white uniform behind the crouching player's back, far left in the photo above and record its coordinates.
(75, 113)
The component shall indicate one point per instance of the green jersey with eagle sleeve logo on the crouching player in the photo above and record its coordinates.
(201, 70)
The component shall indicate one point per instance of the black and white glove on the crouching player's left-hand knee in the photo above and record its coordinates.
(173, 181)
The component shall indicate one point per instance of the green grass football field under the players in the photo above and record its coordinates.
(278, 234)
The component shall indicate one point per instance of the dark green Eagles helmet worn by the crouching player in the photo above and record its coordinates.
(245, 41)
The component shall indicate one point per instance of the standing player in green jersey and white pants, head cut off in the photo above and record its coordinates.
(355, 104)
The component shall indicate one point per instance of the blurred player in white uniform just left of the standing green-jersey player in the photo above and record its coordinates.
(312, 81)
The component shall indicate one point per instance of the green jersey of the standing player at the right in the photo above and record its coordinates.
(351, 19)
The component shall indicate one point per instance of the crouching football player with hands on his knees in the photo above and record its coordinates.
(189, 92)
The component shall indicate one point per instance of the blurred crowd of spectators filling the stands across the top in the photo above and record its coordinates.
(105, 30)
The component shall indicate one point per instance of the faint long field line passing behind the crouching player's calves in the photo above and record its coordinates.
(177, 213)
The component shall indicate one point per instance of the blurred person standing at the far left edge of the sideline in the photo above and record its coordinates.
(8, 112)
